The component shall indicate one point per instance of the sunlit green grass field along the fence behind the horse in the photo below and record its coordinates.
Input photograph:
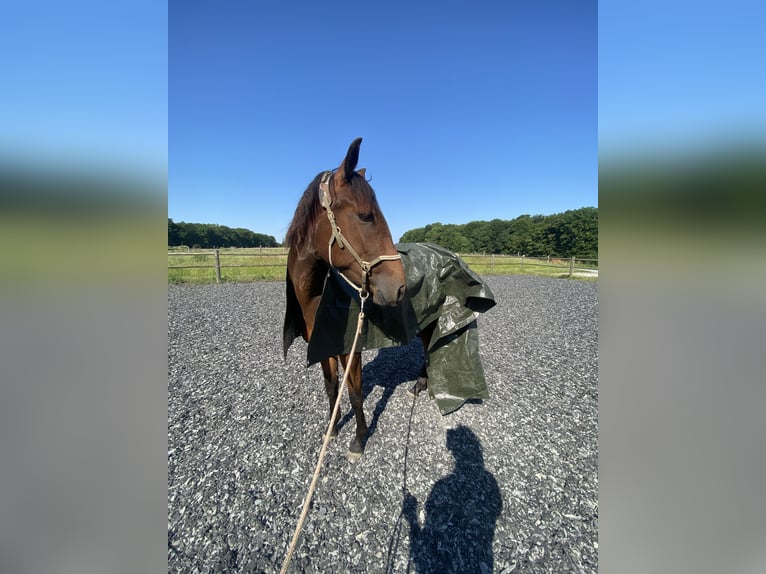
(268, 264)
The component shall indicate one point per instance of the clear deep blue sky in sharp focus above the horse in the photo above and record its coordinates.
(469, 111)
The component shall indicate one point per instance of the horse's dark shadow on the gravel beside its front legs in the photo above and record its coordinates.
(391, 367)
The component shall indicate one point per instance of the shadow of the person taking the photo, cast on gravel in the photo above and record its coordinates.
(461, 512)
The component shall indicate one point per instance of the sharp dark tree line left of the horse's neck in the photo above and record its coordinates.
(209, 236)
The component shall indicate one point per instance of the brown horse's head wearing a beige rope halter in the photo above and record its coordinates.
(356, 233)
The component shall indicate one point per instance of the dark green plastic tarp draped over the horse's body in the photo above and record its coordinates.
(441, 289)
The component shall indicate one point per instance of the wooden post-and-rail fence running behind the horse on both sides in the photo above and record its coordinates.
(272, 260)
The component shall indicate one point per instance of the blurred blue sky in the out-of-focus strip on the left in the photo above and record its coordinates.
(85, 86)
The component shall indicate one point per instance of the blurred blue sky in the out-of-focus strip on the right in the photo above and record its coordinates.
(679, 78)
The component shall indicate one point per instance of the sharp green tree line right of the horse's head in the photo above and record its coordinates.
(568, 234)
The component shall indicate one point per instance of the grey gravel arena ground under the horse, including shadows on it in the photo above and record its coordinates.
(507, 485)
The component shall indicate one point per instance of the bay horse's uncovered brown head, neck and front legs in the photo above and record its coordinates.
(338, 224)
